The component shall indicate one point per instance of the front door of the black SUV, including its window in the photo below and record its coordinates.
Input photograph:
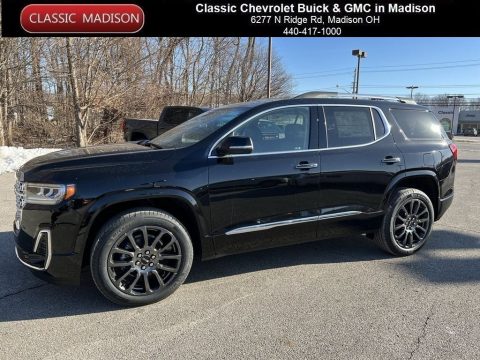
(267, 198)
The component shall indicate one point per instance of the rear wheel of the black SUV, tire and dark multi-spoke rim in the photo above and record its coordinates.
(417, 227)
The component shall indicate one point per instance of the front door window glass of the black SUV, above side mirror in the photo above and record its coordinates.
(285, 129)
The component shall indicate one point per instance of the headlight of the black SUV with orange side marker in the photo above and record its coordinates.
(48, 194)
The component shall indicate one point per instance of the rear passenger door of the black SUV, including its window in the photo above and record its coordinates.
(358, 163)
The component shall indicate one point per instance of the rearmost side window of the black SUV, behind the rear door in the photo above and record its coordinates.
(418, 124)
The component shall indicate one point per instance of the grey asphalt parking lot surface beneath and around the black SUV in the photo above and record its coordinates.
(326, 300)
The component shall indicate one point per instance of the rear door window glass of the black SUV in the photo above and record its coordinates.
(348, 126)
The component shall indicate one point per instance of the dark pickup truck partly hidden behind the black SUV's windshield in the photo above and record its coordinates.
(147, 129)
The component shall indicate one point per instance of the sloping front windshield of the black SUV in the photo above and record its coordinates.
(198, 128)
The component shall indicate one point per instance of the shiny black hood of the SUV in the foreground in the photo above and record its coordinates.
(93, 156)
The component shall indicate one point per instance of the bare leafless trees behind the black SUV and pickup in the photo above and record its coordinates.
(74, 91)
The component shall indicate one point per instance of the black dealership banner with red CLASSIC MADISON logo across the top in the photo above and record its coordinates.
(241, 18)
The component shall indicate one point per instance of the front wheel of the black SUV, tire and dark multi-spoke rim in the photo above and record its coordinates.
(130, 271)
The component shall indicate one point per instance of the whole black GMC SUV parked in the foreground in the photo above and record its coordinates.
(234, 179)
